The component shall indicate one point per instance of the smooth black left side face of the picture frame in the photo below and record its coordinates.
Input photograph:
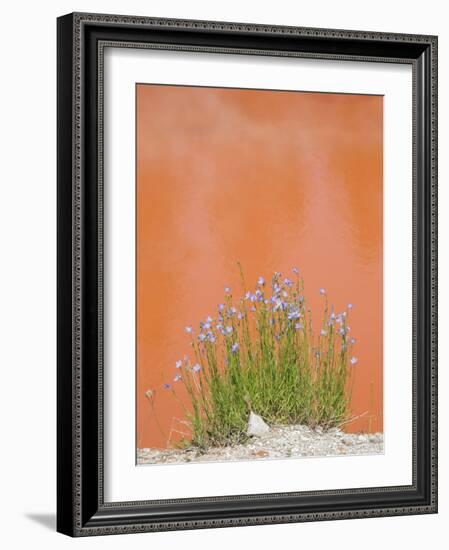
(65, 403)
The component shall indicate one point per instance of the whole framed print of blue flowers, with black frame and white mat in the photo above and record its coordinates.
(247, 282)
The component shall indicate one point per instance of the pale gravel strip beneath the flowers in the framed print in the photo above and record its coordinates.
(280, 442)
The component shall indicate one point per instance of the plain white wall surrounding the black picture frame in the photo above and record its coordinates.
(28, 267)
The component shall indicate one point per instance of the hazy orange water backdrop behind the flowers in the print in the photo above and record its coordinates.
(271, 179)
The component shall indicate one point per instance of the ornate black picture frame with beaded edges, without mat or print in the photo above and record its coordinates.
(81, 509)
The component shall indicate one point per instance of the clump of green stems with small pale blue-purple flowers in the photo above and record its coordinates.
(260, 353)
